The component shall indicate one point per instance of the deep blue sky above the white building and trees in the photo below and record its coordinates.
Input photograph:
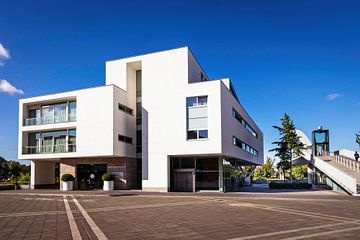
(298, 57)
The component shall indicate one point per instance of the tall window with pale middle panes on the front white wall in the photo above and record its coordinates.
(197, 117)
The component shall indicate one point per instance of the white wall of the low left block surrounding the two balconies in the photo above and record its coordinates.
(96, 131)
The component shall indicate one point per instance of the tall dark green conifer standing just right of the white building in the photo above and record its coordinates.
(289, 145)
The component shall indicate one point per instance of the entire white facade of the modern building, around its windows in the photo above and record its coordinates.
(168, 78)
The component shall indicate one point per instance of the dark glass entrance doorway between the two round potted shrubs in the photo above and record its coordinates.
(89, 176)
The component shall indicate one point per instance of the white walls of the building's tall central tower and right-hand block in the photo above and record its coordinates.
(165, 86)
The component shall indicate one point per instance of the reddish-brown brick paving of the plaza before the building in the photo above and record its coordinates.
(41, 214)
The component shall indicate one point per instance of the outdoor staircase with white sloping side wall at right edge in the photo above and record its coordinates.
(344, 171)
